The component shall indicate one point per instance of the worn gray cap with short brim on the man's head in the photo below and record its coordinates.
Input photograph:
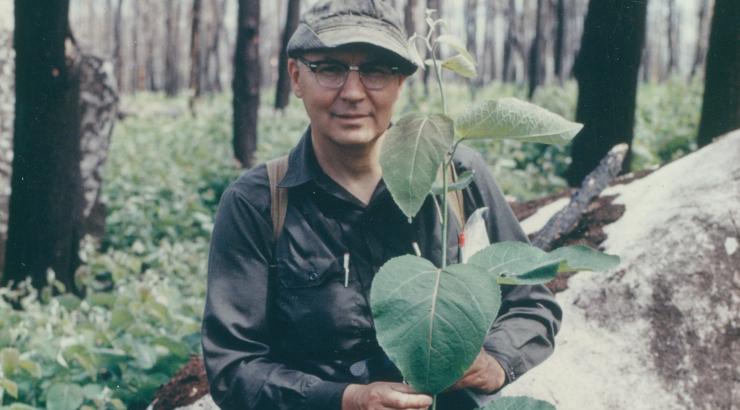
(335, 23)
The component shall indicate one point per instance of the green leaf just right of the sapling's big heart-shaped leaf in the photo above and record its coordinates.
(516, 263)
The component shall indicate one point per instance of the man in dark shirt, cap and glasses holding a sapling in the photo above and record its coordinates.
(286, 326)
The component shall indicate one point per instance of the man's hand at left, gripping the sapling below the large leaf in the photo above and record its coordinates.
(383, 396)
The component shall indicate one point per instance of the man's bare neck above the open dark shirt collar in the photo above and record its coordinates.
(355, 168)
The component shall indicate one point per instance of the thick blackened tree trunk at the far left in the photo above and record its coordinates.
(44, 228)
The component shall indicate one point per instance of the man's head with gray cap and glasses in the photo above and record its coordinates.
(348, 62)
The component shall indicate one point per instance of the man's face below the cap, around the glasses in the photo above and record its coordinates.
(351, 115)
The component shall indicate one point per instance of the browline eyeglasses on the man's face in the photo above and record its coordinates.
(333, 74)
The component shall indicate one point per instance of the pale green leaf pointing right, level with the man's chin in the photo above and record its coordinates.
(515, 119)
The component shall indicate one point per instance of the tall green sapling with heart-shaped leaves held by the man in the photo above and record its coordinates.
(431, 320)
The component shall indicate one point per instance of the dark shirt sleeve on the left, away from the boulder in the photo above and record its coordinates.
(241, 369)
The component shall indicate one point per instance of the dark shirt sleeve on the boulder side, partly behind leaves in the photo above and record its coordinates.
(523, 334)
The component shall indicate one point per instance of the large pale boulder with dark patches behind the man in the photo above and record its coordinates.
(662, 330)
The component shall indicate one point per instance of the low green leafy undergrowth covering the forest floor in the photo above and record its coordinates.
(141, 317)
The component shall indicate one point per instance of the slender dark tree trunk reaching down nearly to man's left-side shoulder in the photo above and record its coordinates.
(246, 85)
